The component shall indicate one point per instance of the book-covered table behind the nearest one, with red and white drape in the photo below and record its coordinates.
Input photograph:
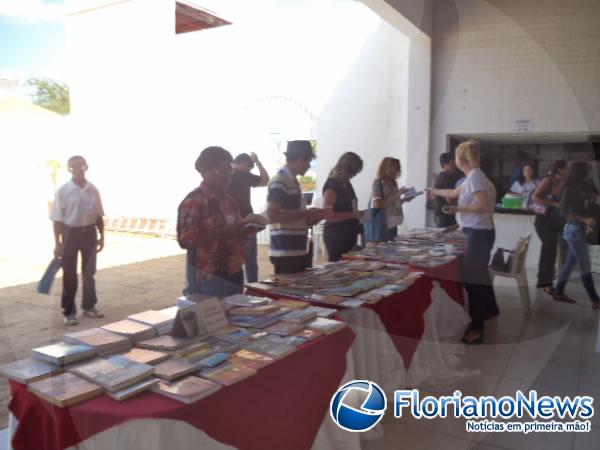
(408, 318)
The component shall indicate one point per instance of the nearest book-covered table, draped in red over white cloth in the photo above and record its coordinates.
(183, 378)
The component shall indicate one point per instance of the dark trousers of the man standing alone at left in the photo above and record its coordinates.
(79, 239)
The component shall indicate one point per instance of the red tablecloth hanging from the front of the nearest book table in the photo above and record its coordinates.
(280, 408)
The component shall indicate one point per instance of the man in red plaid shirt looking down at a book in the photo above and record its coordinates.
(210, 228)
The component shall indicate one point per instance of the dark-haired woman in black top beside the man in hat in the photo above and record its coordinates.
(341, 231)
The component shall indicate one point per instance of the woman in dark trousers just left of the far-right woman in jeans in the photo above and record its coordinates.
(549, 223)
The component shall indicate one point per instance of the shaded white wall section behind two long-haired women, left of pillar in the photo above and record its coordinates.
(367, 112)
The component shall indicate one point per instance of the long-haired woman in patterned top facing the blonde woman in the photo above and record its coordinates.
(387, 199)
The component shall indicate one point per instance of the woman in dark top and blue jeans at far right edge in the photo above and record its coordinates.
(576, 207)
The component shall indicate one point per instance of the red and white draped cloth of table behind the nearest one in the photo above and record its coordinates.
(410, 338)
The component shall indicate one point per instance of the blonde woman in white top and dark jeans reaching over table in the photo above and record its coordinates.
(474, 213)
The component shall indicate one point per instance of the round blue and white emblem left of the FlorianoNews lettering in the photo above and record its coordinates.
(369, 411)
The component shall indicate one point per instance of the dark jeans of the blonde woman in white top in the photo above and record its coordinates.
(476, 275)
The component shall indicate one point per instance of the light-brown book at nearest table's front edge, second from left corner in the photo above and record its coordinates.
(66, 389)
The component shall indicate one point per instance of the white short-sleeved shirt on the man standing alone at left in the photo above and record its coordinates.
(77, 206)
